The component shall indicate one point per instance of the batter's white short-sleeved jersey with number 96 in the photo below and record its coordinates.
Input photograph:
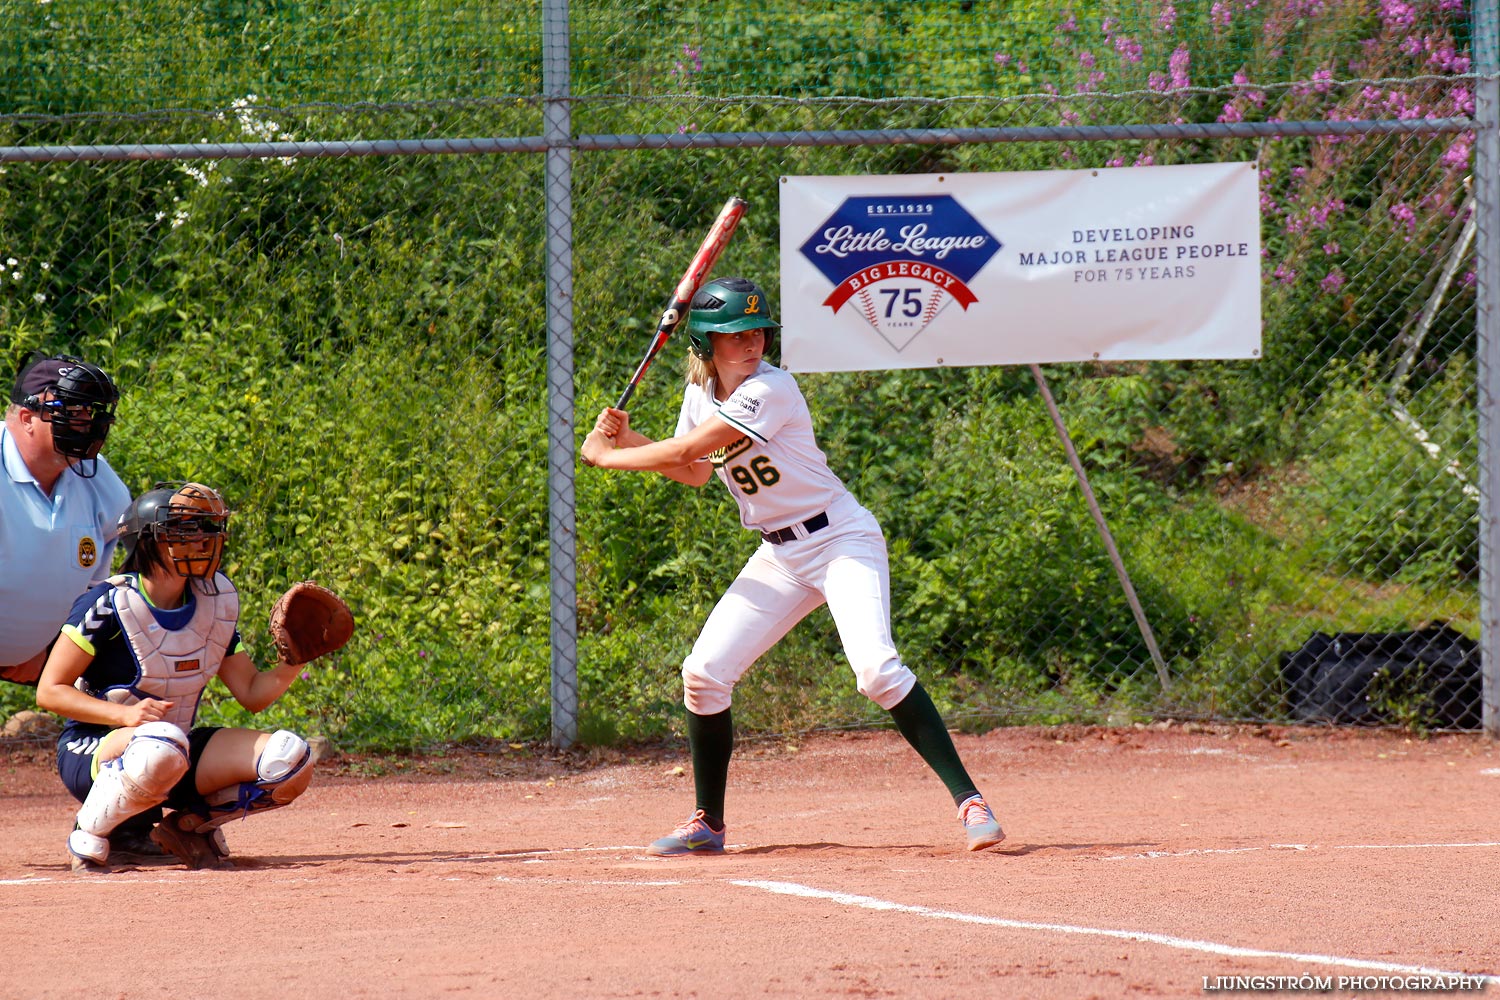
(776, 473)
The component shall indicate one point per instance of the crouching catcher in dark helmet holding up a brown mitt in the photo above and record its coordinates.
(133, 663)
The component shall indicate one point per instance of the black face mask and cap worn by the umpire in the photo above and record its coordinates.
(77, 398)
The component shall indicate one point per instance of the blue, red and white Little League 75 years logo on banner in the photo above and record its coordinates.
(901, 260)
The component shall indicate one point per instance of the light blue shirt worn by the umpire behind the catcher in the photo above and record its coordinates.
(52, 548)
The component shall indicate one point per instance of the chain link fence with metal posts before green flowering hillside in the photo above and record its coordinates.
(373, 269)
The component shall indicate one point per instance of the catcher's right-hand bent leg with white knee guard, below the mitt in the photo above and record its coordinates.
(284, 771)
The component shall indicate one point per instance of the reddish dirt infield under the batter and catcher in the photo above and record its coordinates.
(1159, 861)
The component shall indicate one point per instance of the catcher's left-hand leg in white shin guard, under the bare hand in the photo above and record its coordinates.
(139, 779)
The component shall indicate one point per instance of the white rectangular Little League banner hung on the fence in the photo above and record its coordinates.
(926, 271)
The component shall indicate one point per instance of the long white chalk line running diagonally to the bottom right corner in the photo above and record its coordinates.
(1147, 938)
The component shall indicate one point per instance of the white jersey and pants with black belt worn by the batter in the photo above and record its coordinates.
(820, 545)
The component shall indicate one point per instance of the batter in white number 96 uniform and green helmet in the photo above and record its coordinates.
(748, 422)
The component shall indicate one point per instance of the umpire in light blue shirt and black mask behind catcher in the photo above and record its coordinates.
(59, 503)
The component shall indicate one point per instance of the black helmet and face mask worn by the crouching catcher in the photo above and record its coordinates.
(187, 524)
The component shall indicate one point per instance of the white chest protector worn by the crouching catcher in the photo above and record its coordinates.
(176, 665)
